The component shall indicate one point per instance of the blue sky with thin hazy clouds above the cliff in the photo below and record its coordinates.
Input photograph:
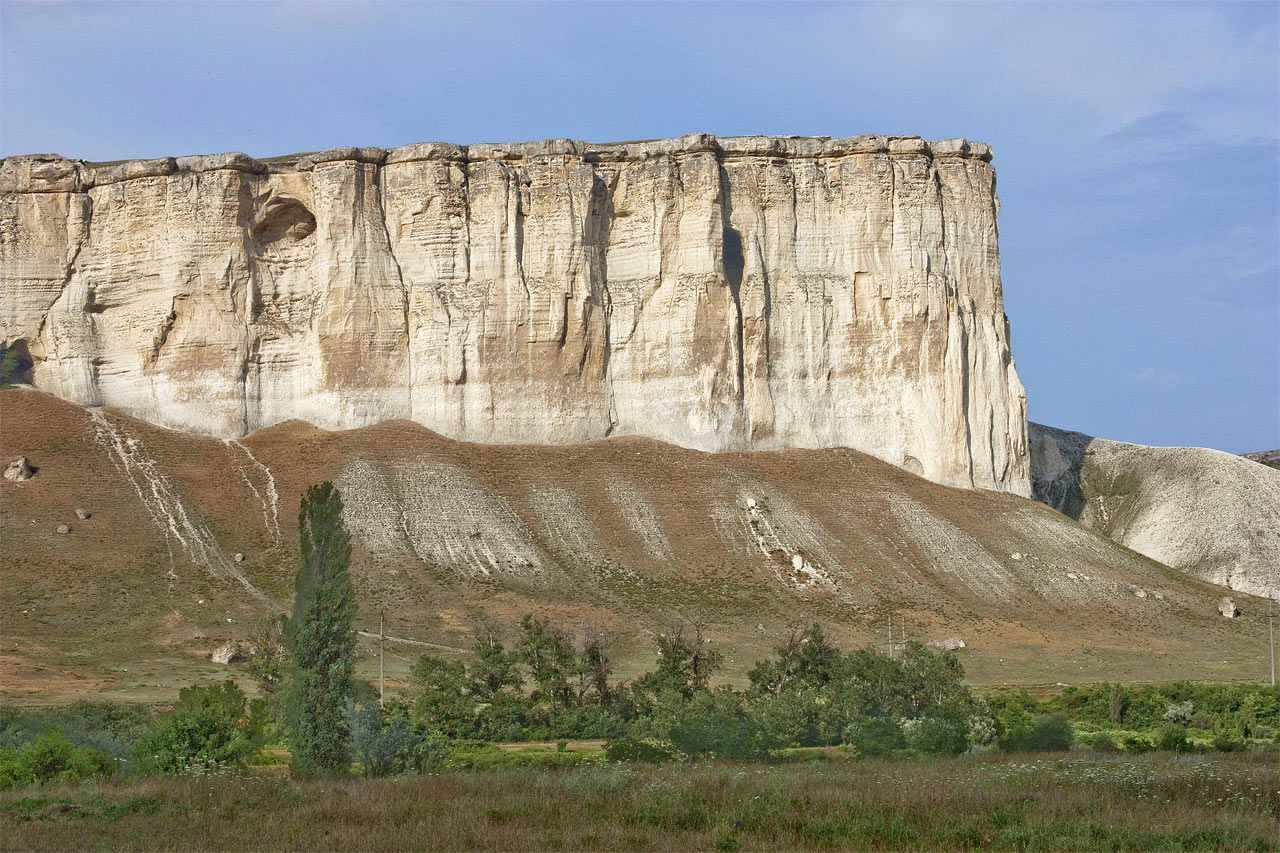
(1136, 144)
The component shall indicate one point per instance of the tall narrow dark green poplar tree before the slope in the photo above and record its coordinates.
(321, 637)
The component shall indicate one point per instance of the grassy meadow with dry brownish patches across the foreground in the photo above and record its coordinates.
(1057, 802)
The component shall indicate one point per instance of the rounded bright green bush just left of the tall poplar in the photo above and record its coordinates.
(209, 727)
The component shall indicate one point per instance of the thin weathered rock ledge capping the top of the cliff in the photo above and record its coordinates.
(56, 174)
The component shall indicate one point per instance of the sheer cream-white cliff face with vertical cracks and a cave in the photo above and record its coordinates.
(752, 293)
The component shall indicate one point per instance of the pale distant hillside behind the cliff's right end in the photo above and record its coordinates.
(1212, 514)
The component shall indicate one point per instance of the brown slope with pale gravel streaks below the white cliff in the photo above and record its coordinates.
(627, 533)
